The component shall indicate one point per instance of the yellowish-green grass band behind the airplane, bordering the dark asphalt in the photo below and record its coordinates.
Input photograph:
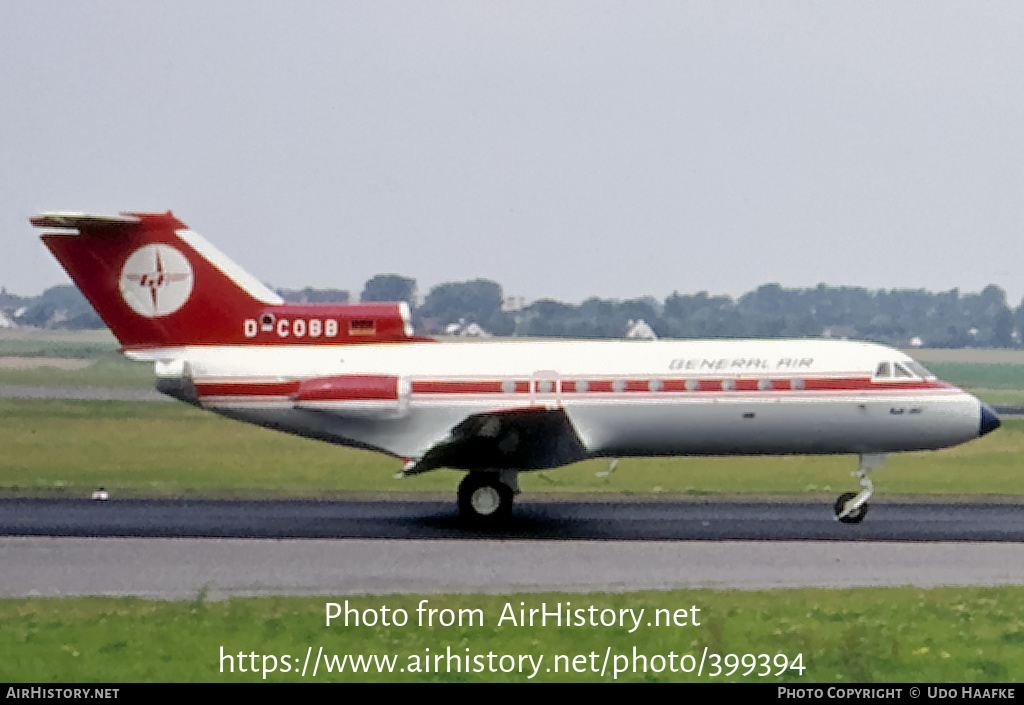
(140, 449)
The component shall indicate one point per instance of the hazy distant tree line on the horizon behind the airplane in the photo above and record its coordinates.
(895, 317)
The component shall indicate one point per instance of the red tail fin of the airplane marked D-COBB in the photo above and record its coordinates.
(157, 284)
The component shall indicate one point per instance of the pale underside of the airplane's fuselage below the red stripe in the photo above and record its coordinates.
(648, 428)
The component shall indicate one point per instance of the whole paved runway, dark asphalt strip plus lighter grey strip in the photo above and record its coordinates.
(174, 550)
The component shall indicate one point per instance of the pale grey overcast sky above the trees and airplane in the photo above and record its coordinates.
(562, 149)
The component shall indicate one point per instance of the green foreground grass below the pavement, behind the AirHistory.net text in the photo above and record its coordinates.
(854, 637)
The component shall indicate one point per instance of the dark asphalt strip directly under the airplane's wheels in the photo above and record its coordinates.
(534, 519)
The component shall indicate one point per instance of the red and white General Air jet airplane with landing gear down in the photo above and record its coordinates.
(357, 376)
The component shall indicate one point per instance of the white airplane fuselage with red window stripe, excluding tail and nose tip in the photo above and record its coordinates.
(623, 398)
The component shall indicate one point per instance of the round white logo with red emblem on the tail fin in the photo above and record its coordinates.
(156, 281)
